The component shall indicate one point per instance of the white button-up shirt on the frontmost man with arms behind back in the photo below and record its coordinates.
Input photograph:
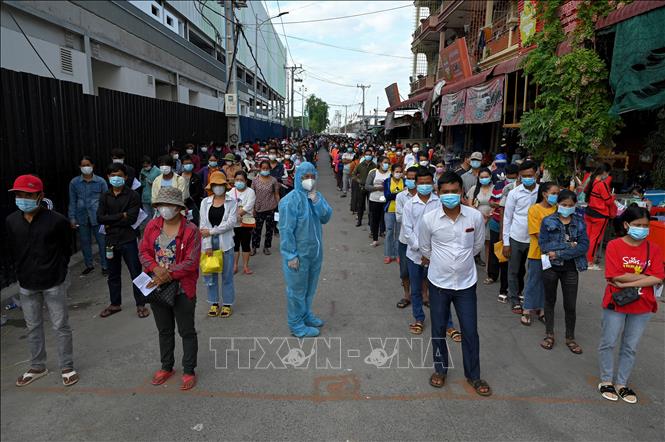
(451, 245)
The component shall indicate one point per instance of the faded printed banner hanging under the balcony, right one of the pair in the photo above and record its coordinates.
(484, 103)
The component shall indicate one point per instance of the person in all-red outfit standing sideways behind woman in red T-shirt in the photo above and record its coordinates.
(599, 211)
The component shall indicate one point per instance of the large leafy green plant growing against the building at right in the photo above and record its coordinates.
(571, 117)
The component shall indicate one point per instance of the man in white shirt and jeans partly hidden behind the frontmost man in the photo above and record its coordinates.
(415, 208)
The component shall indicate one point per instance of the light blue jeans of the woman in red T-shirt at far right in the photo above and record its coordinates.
(633, 326)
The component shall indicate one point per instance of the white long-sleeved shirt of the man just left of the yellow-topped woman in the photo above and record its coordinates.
(516, 214)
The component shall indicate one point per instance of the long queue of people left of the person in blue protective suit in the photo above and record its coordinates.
(161, 221)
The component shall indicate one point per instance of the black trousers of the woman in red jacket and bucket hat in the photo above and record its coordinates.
(182, 313)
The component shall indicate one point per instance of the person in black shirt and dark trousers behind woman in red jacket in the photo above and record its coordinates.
(118, 210)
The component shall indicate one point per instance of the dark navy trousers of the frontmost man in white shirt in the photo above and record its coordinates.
(467, 309)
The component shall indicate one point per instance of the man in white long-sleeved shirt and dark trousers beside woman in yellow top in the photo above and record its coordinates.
(516, 230)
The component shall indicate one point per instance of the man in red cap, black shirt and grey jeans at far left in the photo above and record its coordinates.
(39, 243)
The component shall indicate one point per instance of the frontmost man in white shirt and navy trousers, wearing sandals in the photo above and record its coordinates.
(449, 238)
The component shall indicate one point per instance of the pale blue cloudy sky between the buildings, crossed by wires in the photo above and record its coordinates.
(385, 32)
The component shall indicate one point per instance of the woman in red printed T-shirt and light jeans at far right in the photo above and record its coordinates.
(631, 261)
